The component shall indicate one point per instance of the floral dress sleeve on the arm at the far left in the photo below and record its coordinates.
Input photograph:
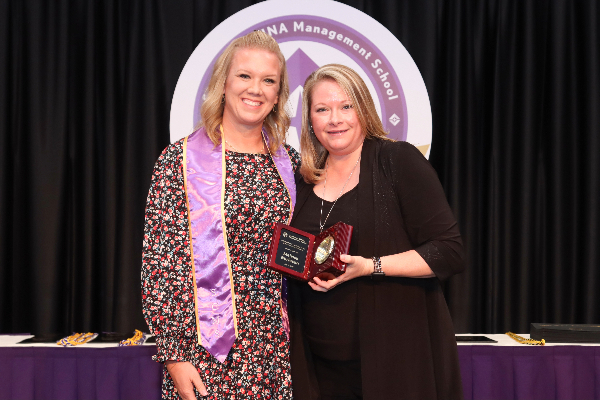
(167, 296)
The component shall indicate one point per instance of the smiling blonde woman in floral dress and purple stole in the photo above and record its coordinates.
(215, 308)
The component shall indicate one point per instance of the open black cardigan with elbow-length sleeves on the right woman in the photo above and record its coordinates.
(407, 344)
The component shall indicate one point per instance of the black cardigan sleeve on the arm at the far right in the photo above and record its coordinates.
(429, 221)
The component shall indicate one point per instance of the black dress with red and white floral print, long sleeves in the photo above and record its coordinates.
(257, 366)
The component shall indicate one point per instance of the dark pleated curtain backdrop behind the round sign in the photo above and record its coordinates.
(85, 94)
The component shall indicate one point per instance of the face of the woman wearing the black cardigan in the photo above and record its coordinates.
(334, 119)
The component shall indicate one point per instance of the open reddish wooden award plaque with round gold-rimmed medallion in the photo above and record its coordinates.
(301, 255)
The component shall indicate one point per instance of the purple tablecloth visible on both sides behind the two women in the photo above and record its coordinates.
(488, 372)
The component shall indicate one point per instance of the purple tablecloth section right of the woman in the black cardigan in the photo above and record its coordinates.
(528, 372)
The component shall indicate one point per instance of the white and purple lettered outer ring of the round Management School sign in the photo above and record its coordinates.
(282, 18)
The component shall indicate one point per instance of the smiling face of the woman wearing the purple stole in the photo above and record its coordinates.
(251, 88)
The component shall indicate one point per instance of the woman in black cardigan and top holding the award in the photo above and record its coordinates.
(381, 330)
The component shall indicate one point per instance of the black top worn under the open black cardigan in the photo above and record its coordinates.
(331, 319)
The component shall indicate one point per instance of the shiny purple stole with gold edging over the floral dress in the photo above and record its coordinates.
(204, 177)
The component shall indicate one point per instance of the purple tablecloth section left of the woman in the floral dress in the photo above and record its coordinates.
(79, 373)
